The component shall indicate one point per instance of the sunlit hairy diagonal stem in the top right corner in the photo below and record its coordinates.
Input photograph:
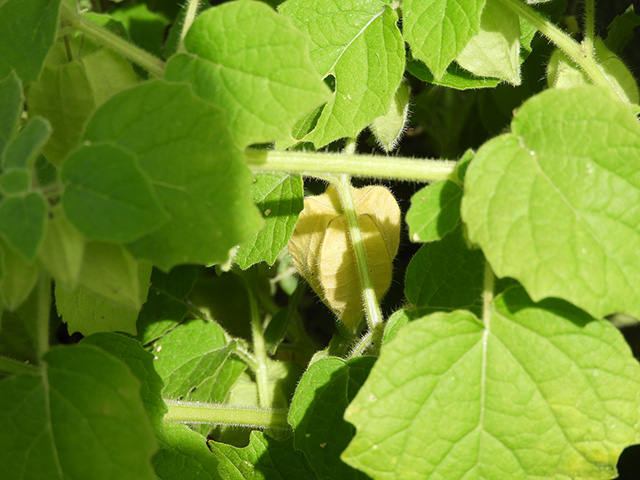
(564, 42)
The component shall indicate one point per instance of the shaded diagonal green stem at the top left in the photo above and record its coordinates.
(110, 40)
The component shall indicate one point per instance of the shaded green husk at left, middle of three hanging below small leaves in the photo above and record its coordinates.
(62, 250)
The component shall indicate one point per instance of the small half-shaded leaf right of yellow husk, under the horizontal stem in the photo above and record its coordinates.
(434, 211)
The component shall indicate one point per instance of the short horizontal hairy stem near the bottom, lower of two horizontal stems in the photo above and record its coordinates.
(194, 412)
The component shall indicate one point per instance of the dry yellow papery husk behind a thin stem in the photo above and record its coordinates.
(321, 247)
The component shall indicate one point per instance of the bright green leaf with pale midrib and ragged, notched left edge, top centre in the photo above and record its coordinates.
(359, 46)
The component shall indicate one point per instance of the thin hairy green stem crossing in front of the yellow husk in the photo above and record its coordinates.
(370, 300)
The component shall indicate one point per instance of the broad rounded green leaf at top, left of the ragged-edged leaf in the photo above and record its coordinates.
(254, 64)
